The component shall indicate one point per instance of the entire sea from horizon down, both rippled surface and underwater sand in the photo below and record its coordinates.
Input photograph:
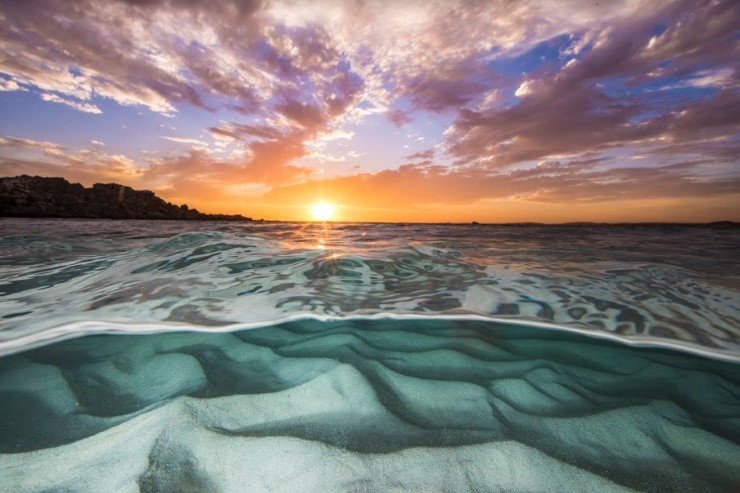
(225, 356)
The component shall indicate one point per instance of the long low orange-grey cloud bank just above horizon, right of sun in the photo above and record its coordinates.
(585, 180)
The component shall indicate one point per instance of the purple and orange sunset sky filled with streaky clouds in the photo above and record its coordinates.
(496, 111)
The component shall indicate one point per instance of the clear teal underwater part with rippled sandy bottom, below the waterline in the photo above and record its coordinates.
(382, 401)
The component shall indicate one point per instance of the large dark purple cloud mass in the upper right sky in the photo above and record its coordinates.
(595, 103)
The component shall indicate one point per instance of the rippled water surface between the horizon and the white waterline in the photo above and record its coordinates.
(670, 284)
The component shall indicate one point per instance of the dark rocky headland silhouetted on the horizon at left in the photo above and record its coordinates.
(36, 196)
